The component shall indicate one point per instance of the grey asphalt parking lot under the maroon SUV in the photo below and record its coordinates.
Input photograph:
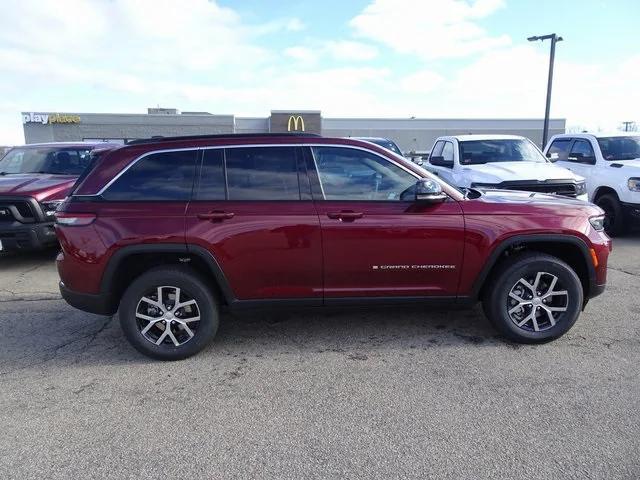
(380, 394)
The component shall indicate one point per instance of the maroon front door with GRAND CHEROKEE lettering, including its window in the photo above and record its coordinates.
(376, 244)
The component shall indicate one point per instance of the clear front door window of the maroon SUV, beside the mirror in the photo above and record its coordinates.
(351, 174)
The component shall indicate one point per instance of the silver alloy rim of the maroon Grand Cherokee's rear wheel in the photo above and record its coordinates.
(167, 315)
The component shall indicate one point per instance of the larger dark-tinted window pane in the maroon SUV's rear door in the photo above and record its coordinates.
(262, 173)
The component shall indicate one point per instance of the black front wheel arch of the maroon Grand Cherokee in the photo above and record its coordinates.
(570, 249)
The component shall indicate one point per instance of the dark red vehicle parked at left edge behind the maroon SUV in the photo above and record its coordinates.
(34, 180)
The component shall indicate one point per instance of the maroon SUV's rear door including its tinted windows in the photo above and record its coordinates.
(252, 209)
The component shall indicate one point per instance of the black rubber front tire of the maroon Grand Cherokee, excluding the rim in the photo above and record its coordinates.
(498, 308)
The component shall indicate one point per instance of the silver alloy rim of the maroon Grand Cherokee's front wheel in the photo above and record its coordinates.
(537, 302)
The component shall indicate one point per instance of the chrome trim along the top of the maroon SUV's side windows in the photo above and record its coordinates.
(256, 145)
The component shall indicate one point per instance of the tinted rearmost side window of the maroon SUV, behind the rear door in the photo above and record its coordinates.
(166, 176)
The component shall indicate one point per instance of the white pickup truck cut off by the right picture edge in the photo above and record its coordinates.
(611, 165)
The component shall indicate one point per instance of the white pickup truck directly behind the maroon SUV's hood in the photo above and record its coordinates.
(503, 162)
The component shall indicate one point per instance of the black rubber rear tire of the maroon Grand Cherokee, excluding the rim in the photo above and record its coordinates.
(190, 283)
